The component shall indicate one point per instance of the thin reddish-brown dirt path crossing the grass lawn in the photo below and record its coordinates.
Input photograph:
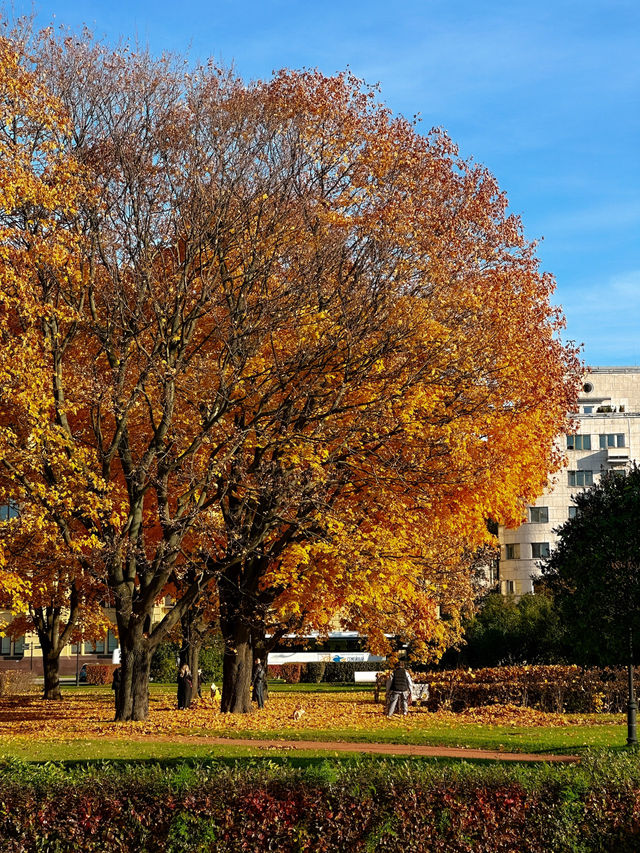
(370, 748)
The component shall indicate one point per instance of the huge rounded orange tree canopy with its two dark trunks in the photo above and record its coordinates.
(308, 349)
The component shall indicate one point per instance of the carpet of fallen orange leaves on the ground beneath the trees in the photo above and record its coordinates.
(90, 714)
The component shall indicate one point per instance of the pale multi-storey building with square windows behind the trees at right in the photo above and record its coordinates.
(607, 437)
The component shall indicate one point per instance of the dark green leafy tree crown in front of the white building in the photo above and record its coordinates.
(594, 570)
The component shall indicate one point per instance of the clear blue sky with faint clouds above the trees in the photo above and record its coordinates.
(546, 94)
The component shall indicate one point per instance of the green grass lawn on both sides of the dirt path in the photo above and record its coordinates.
(431, 731)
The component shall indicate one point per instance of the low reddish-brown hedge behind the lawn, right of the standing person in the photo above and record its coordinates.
(571, 689)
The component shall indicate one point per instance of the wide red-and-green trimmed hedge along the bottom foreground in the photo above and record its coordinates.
(364, 806)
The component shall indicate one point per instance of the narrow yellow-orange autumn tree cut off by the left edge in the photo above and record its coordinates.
(47, 574)
